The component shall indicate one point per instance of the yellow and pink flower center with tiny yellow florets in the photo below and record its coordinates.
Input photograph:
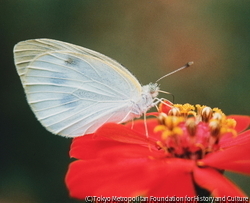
(191, 132)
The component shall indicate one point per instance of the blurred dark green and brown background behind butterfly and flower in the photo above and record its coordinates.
(150, 38)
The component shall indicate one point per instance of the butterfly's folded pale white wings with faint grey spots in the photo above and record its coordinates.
(73, 90)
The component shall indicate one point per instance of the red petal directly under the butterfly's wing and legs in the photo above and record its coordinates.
(97, 146)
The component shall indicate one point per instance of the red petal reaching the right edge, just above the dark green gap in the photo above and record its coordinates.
(235, 159)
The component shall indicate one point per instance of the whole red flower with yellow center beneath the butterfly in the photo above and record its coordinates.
(185, 153)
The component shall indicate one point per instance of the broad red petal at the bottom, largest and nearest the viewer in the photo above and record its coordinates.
(131, 177)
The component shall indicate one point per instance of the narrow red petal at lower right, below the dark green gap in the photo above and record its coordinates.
(216, 183)
